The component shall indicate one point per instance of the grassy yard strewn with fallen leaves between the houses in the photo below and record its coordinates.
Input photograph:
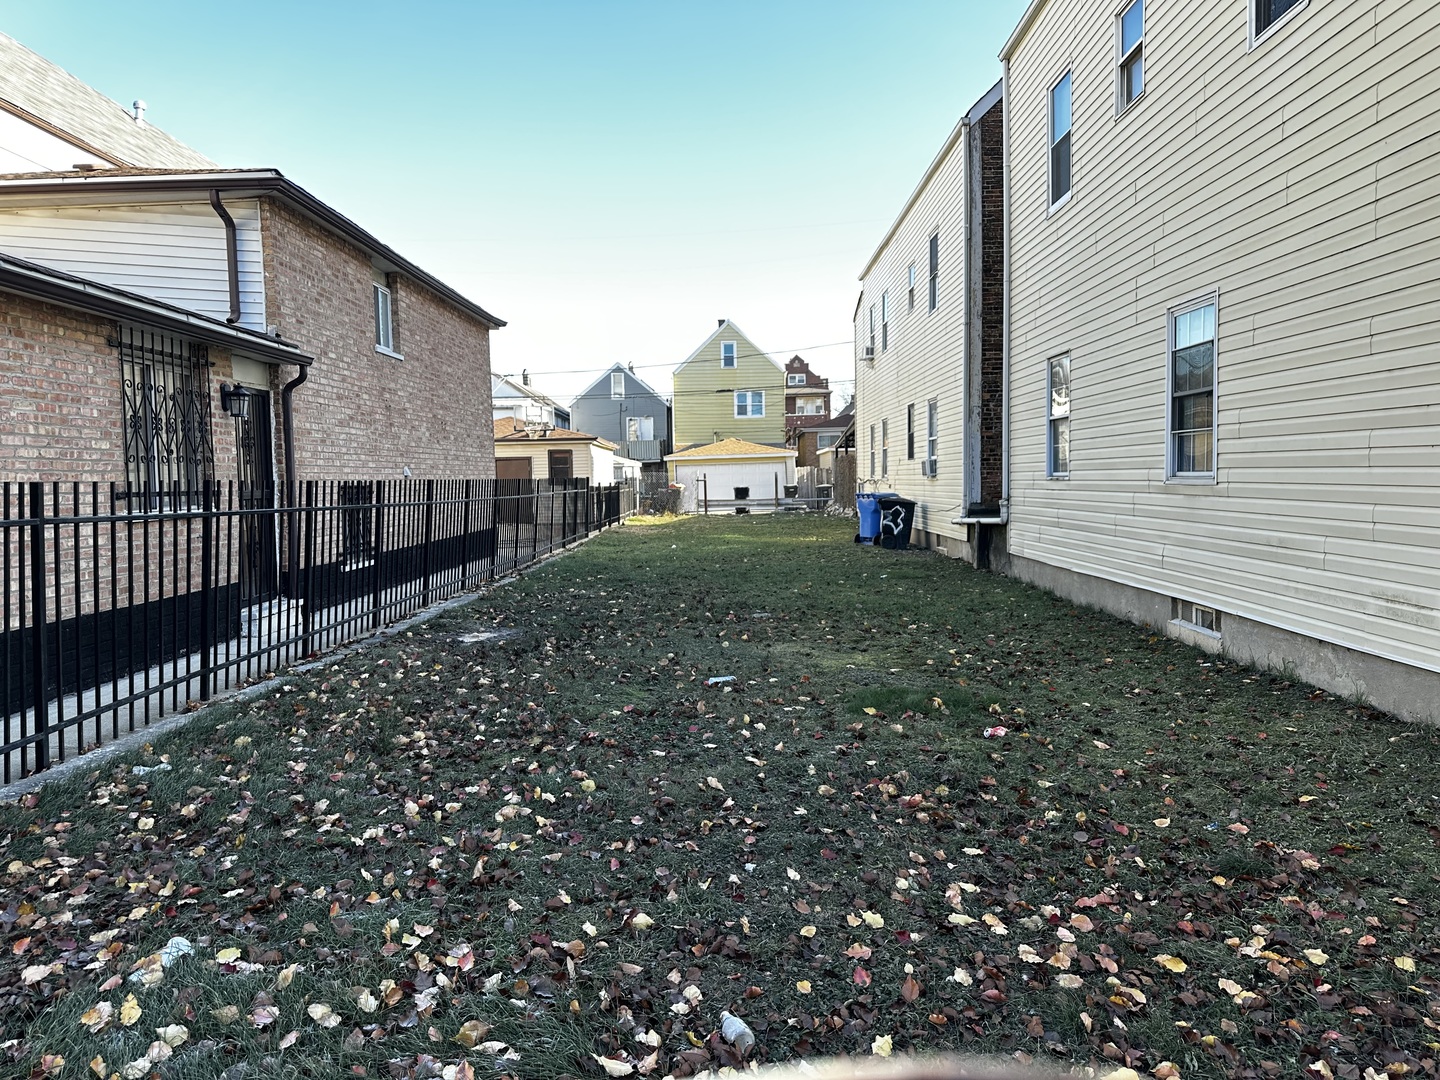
(529, 836)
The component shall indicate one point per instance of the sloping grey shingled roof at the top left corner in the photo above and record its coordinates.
(51, 99)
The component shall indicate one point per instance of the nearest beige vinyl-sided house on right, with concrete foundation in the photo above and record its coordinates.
(1225, 397)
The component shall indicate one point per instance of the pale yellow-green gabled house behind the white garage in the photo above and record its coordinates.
(729, 390)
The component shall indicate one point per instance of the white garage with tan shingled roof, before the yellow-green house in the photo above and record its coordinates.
(722, 477)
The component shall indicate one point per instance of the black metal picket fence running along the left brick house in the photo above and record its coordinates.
(112, 618)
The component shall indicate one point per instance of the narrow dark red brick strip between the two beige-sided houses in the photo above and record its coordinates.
(993, 305)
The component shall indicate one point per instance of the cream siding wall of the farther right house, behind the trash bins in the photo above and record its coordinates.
(927, 355)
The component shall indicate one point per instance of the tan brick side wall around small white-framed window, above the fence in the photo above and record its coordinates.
(364, 415)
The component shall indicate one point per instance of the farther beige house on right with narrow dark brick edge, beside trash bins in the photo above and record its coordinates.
(919, 372)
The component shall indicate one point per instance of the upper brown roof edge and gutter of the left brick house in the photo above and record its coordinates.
(241, 184)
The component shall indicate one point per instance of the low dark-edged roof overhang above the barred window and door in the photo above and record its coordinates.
(81, 294)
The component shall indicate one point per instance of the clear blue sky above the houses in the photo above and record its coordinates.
(608, 178)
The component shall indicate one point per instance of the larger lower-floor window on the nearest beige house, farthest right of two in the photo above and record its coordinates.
(1193, 391)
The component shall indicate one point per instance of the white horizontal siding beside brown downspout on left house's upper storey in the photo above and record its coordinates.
(169, 251)
